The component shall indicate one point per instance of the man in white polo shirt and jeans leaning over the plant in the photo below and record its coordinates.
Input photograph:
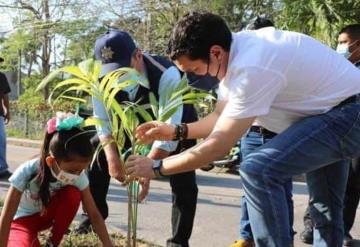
(292, 85)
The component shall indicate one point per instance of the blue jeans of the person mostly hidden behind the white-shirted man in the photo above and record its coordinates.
(249, 143)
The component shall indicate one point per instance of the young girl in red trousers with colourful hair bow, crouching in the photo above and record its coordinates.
(46, 193)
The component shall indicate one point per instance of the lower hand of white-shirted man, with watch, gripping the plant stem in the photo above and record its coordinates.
(139, 166)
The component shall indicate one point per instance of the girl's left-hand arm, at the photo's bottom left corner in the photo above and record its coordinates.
(7, 214)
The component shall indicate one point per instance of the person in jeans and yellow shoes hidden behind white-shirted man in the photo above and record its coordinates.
(254, 138)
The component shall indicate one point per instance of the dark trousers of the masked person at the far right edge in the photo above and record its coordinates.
(351, 200)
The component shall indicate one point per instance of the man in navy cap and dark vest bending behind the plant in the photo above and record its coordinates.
(117, 49)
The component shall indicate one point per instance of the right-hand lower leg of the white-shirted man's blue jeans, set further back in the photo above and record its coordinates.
(326, 202)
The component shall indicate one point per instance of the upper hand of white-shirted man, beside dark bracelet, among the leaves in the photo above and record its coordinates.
(155, 130)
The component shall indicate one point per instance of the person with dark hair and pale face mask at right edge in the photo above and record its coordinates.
(348, 47)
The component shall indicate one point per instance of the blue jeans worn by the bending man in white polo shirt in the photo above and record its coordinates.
(308, 146)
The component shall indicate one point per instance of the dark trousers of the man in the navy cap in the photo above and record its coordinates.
(184, 198)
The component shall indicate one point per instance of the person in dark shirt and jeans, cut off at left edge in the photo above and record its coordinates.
(4, 119)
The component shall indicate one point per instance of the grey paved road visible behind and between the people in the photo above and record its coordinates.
(217, 215)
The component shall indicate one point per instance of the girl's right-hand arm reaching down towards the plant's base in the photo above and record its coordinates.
(95, 217)
